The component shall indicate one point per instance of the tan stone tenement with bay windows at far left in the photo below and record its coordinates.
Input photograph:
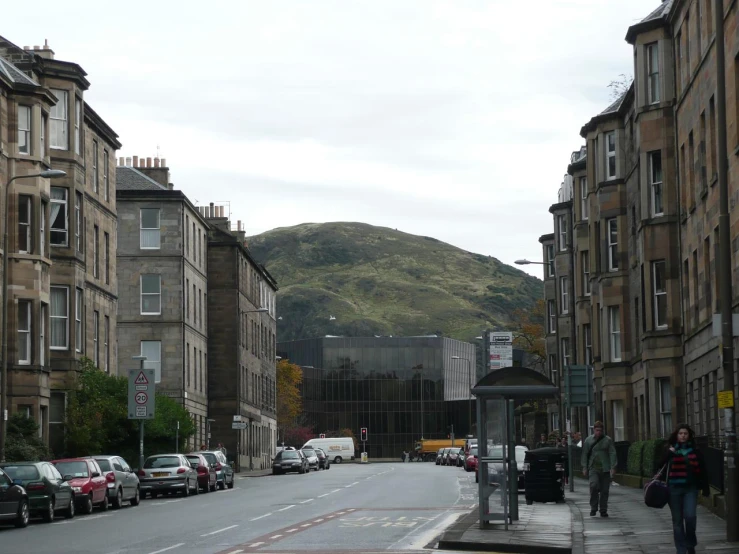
(62, 233)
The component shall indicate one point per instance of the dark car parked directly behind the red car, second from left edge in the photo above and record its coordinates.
(46, 490)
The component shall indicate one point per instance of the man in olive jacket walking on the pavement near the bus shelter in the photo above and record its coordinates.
(599, 465)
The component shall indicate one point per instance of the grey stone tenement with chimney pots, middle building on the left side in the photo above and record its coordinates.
(163, 285)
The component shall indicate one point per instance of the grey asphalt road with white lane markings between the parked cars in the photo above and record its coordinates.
(349, 508)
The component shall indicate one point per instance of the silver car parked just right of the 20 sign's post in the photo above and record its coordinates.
(168, 473)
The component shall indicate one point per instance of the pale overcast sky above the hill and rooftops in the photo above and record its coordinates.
(451, 119)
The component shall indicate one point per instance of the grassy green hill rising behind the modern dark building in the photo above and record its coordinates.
(378, 281)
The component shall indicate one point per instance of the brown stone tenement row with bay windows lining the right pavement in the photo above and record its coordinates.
(630, 280)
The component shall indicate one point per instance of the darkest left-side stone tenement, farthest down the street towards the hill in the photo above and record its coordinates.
(242, 321)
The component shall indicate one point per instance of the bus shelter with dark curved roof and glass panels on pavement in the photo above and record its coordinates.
(496, 395)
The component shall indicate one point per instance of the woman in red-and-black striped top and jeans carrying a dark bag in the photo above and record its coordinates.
(686, 475)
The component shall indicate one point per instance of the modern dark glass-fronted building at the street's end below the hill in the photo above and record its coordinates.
(400, 388)
